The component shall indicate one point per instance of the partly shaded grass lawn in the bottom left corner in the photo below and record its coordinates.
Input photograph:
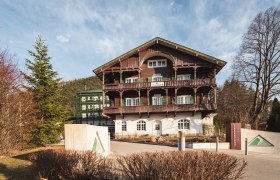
(19, 166)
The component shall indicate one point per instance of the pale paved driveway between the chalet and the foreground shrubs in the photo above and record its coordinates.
(260, 166)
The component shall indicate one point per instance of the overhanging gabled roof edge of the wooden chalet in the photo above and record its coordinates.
(157, 40)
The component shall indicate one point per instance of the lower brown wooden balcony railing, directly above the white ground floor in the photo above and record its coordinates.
(160, 109)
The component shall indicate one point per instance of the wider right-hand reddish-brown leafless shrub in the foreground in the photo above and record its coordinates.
(181, 165)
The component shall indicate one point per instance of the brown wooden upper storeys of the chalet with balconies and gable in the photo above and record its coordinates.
(131, 76)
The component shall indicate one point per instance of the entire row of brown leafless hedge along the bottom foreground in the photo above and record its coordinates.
(171, 165)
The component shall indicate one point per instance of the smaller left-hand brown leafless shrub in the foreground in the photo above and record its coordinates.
(62, 164)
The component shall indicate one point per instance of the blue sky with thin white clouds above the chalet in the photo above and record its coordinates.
(83, 35)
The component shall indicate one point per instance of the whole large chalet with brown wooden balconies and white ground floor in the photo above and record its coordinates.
(161, 88)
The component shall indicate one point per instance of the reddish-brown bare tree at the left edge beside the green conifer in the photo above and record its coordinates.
(16, 107)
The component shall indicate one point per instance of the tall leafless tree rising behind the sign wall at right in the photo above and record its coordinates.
(258, 63)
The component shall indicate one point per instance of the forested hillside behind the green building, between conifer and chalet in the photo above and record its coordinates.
(69, 89)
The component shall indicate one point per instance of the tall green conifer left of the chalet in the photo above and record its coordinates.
(44, 83)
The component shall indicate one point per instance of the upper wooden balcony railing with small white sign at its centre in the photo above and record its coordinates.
(165, 84)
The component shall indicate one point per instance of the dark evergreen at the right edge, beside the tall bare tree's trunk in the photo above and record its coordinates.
(273, 123)
